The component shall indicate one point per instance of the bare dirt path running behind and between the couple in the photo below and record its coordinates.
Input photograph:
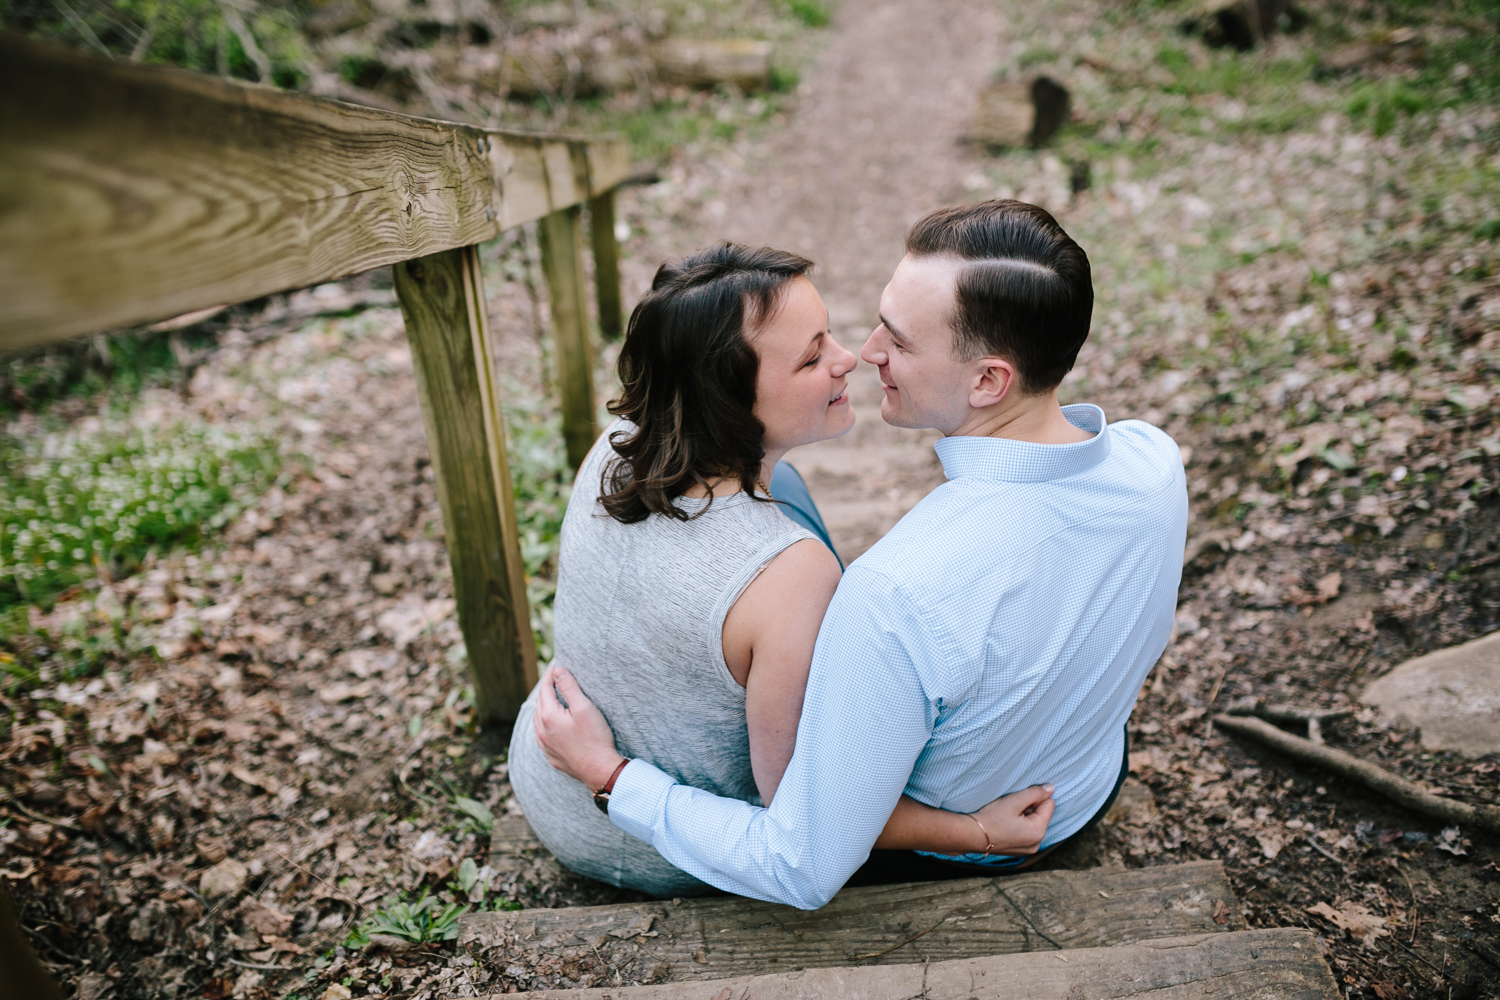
(874, 146)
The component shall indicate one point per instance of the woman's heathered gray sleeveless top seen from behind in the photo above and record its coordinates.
(640, 618)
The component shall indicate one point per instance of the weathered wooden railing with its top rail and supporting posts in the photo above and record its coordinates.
(131, 194)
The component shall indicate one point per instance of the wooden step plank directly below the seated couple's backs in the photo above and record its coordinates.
(718, 938)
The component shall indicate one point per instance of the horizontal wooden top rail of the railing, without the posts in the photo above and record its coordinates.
(131, 194)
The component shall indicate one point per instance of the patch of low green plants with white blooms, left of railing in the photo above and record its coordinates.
(82, 503)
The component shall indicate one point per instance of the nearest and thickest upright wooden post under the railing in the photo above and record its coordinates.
(443, 304)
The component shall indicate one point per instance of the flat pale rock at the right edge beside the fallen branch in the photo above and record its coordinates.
(1451, 695)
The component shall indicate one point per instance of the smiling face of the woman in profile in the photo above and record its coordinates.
(802, 386)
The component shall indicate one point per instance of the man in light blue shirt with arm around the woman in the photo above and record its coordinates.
(998, 636)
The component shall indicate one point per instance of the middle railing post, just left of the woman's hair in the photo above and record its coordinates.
(574, 358)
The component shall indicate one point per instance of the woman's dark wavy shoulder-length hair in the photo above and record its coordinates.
(688, 379)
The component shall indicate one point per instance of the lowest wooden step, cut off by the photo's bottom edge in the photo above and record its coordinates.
(1283, 963)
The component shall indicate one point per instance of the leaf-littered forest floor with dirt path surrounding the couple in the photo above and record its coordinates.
(221, 767)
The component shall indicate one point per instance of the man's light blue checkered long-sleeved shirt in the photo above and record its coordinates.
(995, 639)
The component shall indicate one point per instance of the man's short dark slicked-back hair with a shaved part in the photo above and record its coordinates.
(1025, 293)
